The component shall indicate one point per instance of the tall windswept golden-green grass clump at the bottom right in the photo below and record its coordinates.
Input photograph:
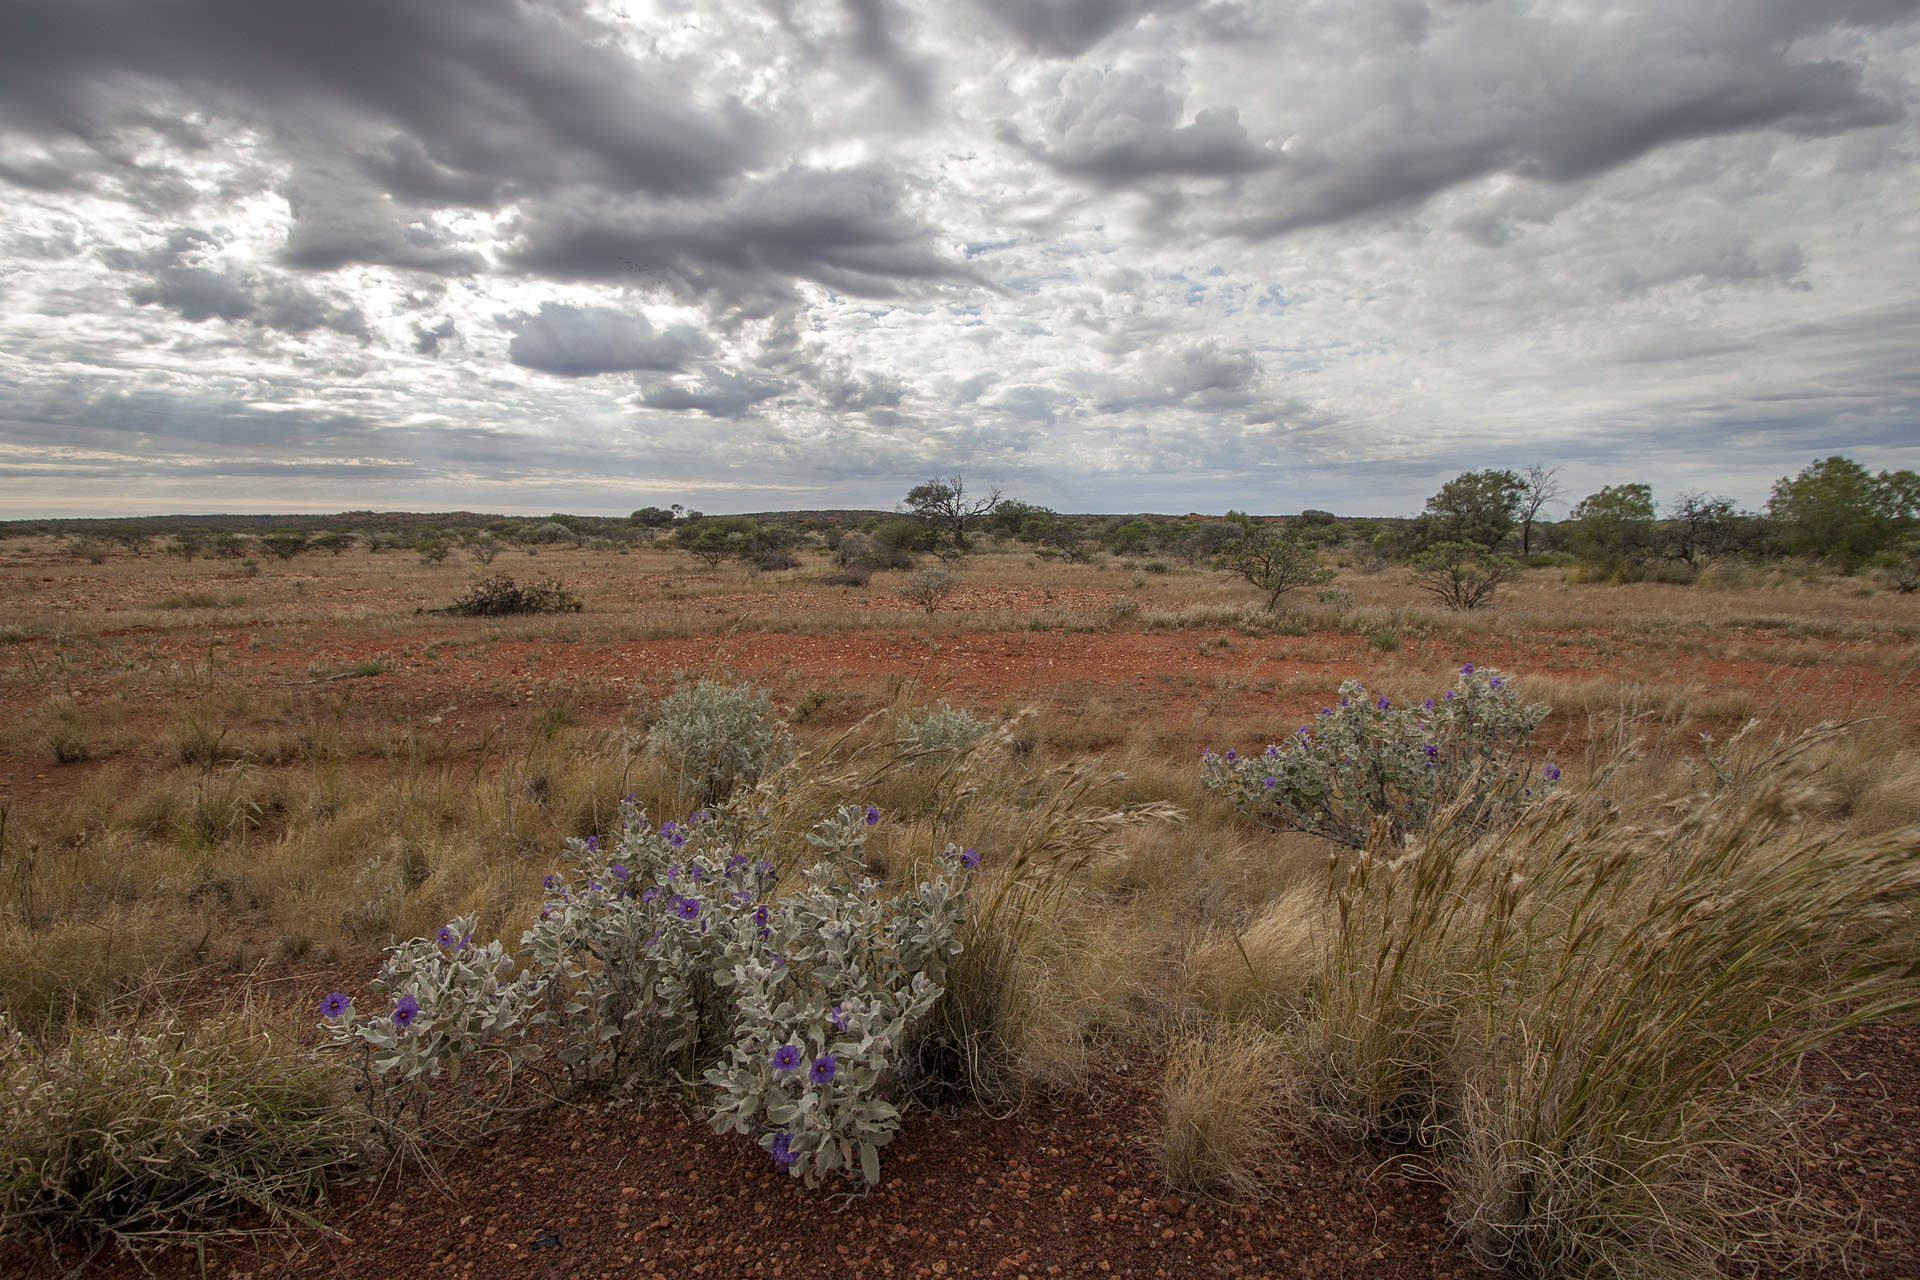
(1595, 1020)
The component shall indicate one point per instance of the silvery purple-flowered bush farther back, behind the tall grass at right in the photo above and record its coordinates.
(1370, 761)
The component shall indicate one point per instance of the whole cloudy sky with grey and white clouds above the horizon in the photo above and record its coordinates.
(1180, 256)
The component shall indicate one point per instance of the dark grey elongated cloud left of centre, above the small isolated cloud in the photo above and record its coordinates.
(848, 231)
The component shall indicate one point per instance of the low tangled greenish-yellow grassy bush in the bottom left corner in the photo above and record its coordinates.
(164, 1133)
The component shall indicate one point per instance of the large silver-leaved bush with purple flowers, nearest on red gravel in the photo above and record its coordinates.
(667, 953)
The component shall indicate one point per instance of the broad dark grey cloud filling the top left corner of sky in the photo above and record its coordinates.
(494, 91)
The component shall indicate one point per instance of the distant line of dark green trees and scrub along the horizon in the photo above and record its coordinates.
(1474, 534)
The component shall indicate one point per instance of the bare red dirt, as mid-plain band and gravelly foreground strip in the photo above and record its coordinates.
(1065, 1187)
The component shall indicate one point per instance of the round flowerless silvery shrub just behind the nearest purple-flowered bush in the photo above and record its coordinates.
(717, 738)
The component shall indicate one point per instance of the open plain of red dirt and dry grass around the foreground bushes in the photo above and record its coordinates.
(235, 788)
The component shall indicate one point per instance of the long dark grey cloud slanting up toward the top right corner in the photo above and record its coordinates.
(1550, 103)
